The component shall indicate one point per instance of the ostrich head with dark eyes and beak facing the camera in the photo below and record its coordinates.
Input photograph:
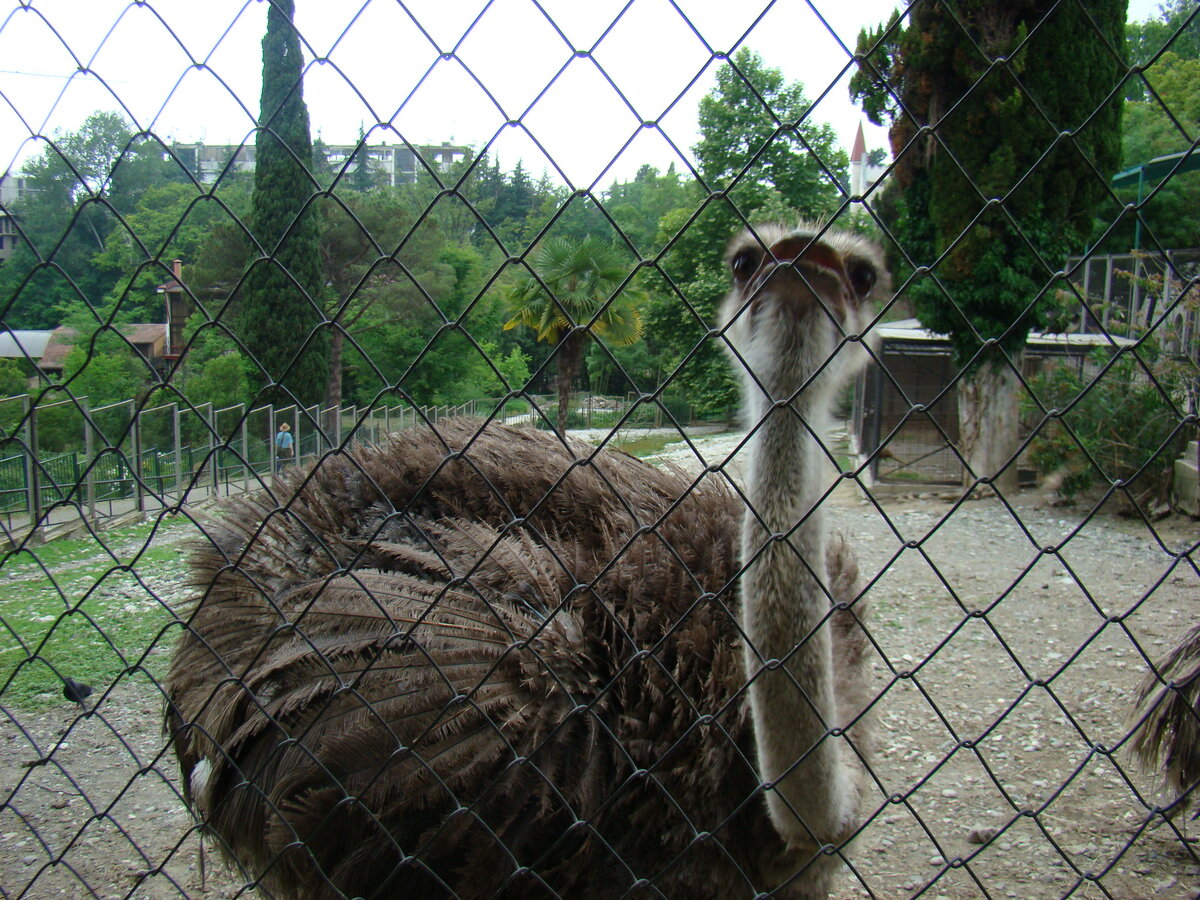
(801, 302)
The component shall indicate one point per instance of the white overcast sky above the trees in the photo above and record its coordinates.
(190, 71)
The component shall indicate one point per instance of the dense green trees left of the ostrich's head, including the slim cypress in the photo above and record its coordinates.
(340, 290)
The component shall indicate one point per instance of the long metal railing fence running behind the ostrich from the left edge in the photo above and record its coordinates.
(100, 481)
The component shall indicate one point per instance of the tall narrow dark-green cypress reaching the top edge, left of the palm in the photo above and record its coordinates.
(281, 305)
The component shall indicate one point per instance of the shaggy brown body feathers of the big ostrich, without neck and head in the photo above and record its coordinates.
(481, 663)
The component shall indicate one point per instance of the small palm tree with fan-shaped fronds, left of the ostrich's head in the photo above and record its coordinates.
(574, 296)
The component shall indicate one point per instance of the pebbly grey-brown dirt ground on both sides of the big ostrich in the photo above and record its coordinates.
(1011, 644)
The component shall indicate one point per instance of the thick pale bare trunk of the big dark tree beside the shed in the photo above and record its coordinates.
(988, 424)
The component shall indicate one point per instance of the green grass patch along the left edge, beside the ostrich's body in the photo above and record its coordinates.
(89, 609)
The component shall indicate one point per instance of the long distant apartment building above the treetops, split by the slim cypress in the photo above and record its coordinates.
(392, 164)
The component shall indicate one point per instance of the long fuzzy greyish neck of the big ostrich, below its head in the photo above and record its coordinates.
(784, 609)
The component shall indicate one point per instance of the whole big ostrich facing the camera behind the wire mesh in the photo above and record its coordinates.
(478, 662)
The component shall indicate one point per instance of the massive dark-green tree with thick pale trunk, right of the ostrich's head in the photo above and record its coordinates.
(1007, 119)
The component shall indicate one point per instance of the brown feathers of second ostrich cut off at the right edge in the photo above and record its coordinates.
(1169, 735)
